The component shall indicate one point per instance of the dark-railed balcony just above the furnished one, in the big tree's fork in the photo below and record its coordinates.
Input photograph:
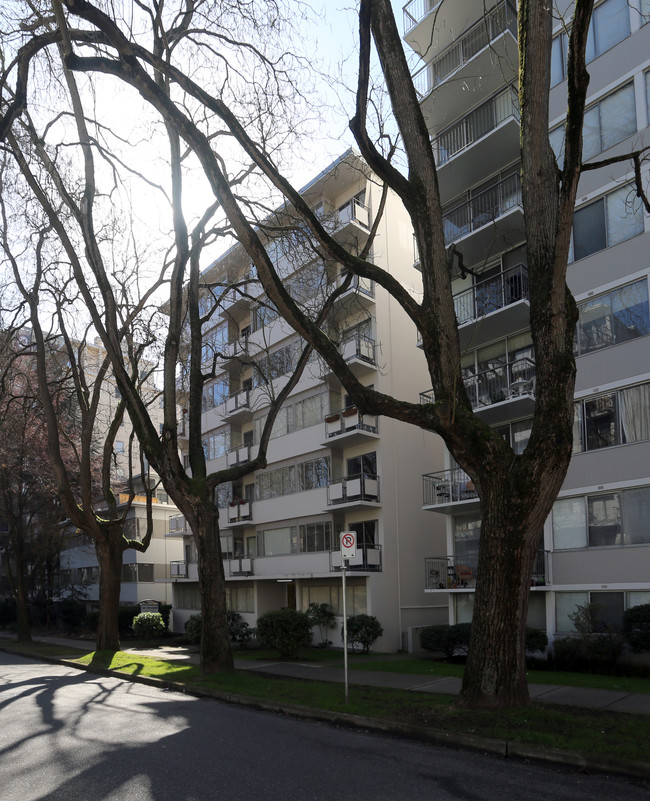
(498, 303)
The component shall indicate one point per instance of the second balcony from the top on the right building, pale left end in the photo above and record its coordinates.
(480, 61)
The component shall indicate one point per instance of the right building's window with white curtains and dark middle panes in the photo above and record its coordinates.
(614, 418)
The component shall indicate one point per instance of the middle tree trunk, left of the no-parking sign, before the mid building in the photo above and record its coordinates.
(216, 654)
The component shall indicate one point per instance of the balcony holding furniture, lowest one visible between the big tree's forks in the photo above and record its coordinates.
(505, 390)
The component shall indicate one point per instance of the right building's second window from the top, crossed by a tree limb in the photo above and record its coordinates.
(608, 122)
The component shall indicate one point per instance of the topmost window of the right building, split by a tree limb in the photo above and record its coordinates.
(610, 24)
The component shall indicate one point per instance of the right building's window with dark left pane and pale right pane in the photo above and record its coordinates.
(606, 222)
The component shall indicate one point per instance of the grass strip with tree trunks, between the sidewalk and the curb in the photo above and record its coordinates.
(588, 732)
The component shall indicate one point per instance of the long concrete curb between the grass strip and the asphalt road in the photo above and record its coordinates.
(469, 742)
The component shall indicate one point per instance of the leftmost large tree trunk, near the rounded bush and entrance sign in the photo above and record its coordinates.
(109, 547)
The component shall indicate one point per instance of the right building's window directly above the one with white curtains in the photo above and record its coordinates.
(614, 317)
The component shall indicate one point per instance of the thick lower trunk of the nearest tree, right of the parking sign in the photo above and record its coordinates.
(495, 674)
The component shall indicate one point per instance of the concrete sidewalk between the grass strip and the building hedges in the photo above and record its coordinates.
(587, 697)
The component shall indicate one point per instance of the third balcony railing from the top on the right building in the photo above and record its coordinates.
(475, 125)
